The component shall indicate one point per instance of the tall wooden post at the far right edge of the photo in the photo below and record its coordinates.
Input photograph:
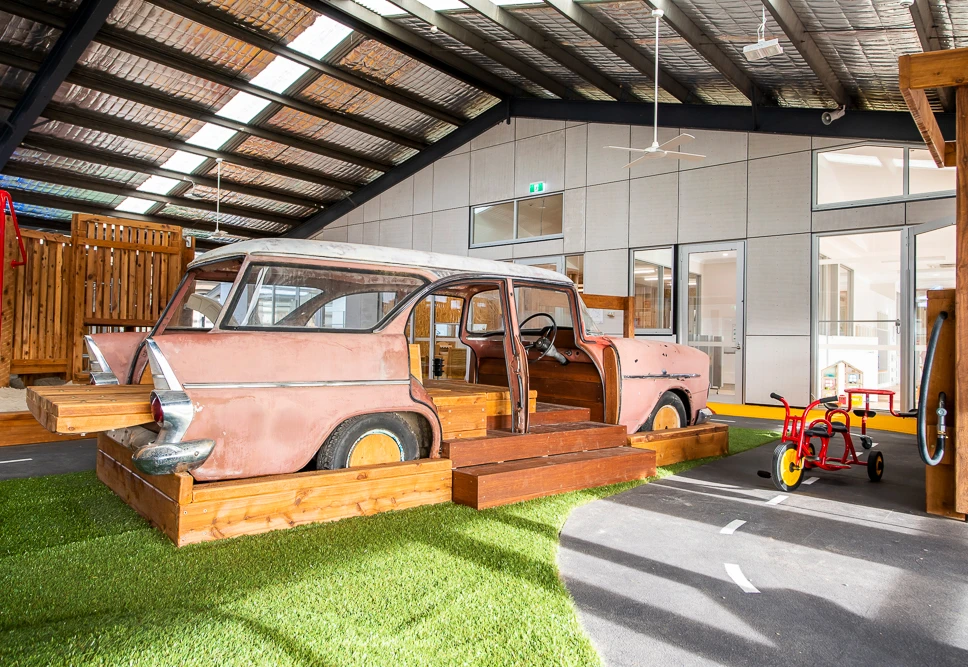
(961, 288)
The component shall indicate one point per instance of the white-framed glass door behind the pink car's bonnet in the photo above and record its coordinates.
(711, 297)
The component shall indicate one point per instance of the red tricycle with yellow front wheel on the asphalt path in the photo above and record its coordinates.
(796, 452)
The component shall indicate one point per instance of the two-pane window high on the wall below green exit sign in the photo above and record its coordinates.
(522, 220)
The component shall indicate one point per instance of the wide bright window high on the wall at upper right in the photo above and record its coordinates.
(869, 173)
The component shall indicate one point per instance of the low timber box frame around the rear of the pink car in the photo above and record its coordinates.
(189, 512)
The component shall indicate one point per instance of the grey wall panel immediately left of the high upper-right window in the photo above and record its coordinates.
(779, 195)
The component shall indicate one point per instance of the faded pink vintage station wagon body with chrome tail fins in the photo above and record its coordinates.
(243, 403)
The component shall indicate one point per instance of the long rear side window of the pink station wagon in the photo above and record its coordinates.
(318, 298)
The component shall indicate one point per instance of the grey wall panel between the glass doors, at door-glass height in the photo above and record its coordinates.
(778, 285)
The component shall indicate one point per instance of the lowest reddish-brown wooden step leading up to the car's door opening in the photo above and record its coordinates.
(496, 484)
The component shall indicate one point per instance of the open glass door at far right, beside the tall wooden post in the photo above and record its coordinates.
(932, 263)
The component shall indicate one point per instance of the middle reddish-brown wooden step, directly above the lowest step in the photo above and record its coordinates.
(543, 440)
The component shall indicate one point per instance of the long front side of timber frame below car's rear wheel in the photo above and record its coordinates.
(216, 519)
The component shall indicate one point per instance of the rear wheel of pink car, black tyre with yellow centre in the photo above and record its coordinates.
(384, 437)
